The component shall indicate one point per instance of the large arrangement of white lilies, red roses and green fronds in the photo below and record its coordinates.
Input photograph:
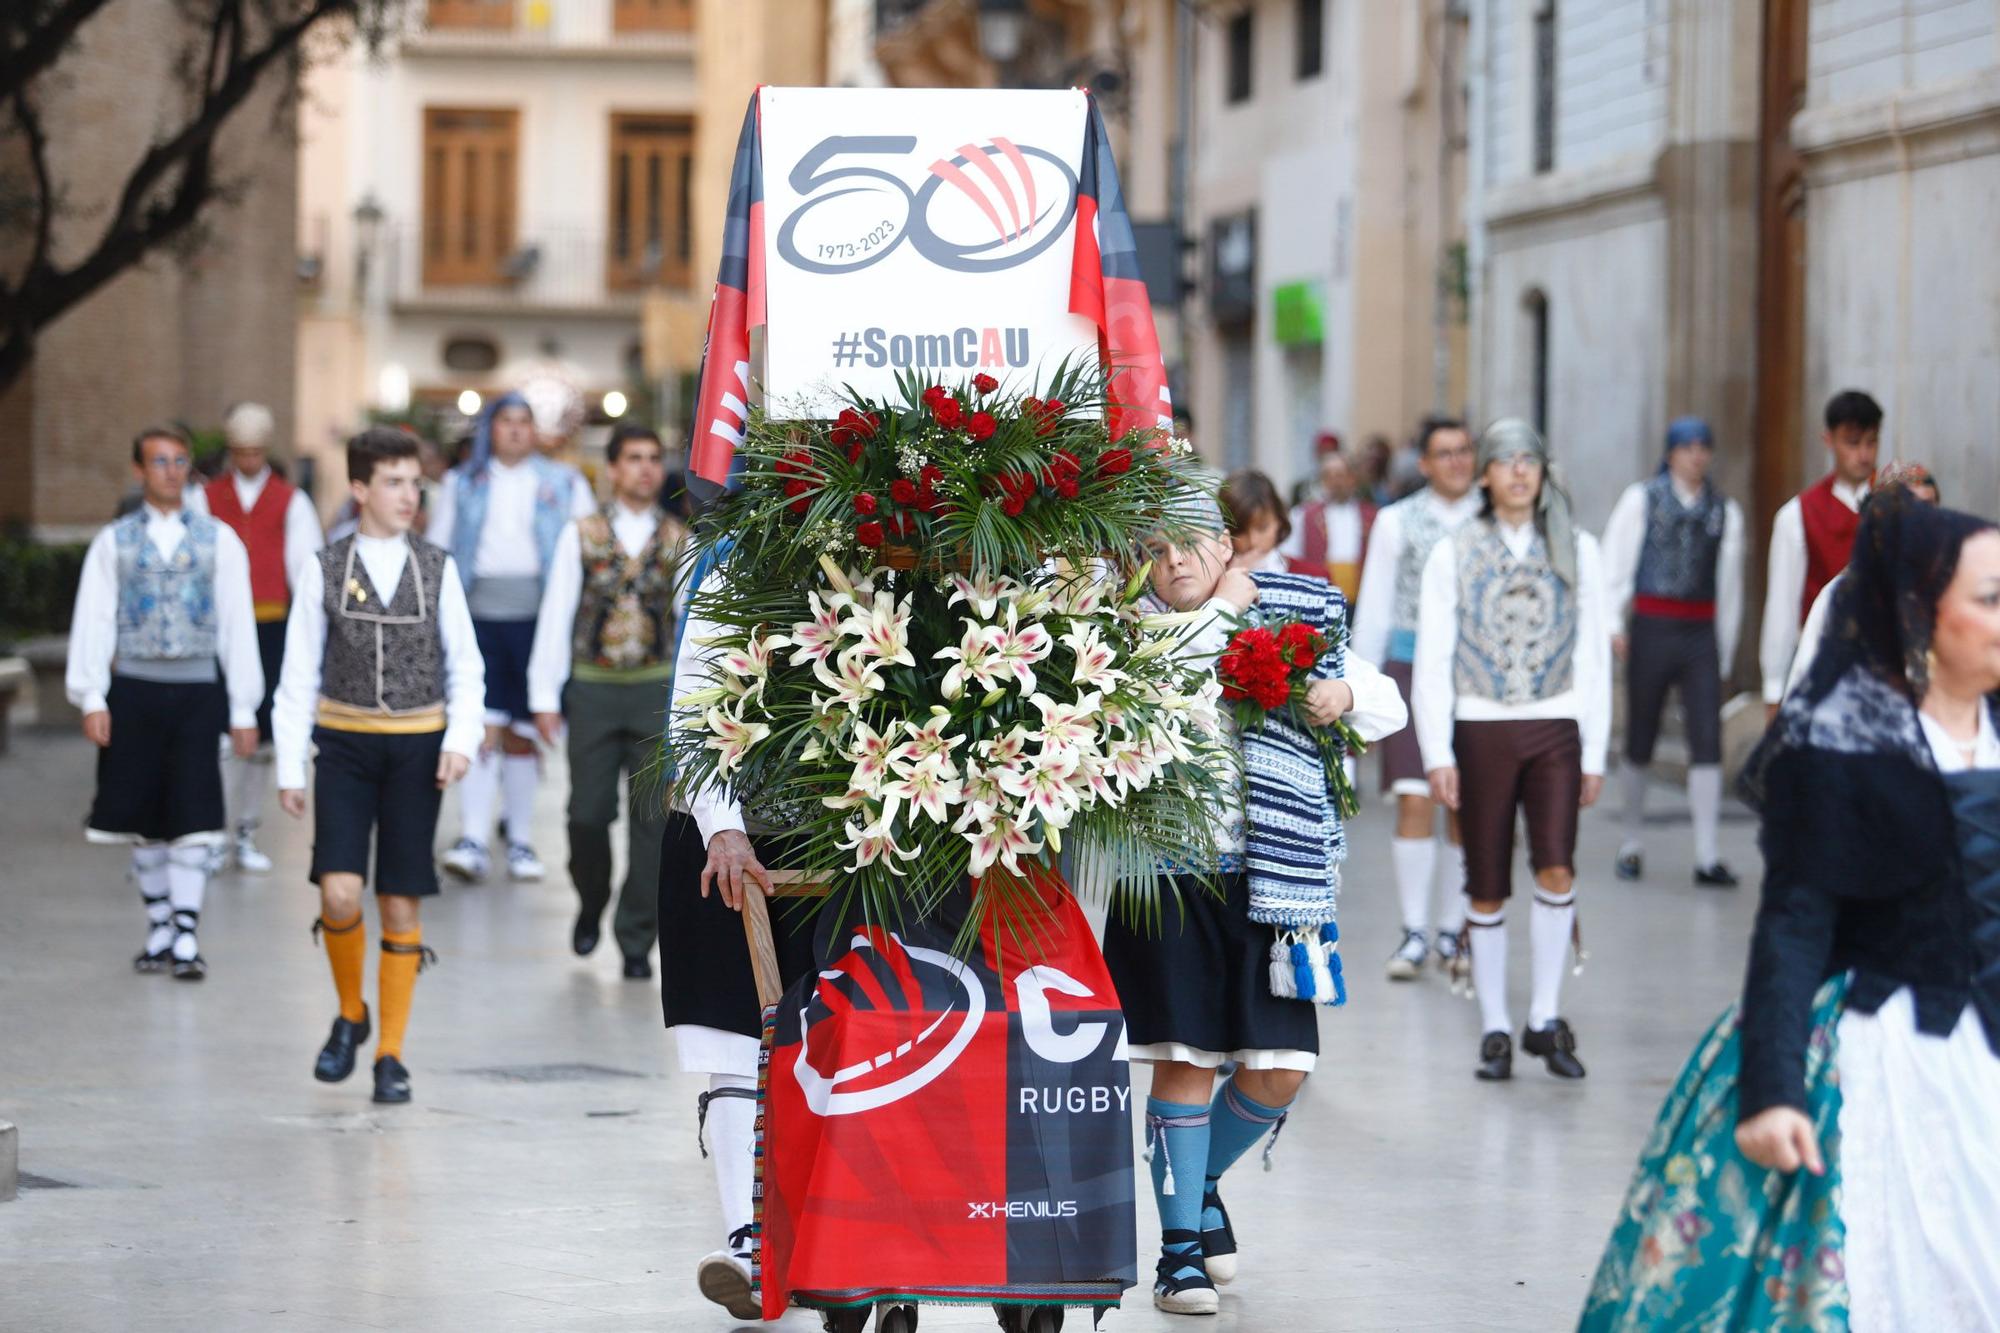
(931, 659)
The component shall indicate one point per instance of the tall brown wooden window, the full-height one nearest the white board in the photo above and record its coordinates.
(651, 207)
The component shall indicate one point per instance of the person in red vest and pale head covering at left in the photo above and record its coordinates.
(279, 529)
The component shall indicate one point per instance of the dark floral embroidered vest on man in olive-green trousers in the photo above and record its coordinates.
(625, 617)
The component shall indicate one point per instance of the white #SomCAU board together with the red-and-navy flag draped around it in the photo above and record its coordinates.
(943, 233)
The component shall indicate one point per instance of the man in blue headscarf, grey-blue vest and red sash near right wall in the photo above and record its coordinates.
(1675, 553)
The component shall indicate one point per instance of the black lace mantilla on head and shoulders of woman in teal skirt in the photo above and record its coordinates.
(1877, 637)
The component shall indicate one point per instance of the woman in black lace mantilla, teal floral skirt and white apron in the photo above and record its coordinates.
(1829, 1154)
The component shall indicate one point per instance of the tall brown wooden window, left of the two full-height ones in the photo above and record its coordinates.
(471, 161)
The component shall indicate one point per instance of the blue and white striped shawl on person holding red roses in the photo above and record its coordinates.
(1293, 836)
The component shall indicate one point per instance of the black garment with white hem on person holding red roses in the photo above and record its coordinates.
(1199, 988)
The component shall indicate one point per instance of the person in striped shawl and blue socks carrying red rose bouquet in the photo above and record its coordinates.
(1235, 976)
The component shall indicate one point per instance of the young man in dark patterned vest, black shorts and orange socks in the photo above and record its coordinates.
(383, 678)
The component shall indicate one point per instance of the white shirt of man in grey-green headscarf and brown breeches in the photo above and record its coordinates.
(1435, 690)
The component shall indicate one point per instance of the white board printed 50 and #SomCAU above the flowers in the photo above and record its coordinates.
(917, 229)
